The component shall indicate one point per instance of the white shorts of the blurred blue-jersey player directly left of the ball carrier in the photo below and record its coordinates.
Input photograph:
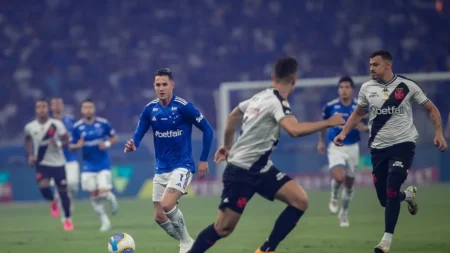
(91, 181)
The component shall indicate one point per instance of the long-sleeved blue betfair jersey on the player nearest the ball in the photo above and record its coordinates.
(172, 129)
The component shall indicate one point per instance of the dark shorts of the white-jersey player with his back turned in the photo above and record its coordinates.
(239, 186)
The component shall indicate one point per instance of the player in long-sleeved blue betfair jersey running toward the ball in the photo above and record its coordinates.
(171, 119)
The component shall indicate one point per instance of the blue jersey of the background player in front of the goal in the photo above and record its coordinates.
(335, 106)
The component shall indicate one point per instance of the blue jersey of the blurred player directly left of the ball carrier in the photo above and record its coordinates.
(94, 159)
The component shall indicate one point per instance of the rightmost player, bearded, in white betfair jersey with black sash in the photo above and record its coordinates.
(392, 136)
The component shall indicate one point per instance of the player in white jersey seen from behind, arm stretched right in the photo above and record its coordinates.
(249, 169)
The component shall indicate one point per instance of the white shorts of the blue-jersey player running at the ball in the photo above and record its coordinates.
(178, 179)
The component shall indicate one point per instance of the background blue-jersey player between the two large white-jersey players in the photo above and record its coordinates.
(342, 161)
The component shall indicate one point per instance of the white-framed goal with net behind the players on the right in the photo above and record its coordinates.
(300, 156)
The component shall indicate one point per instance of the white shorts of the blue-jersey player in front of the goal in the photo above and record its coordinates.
(346, 156)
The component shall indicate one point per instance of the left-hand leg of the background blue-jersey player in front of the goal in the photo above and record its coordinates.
(337, 165)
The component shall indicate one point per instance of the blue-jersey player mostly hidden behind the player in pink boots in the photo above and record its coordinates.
(72, 166)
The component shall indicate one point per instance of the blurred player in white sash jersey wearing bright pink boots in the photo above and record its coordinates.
(44, 139)
